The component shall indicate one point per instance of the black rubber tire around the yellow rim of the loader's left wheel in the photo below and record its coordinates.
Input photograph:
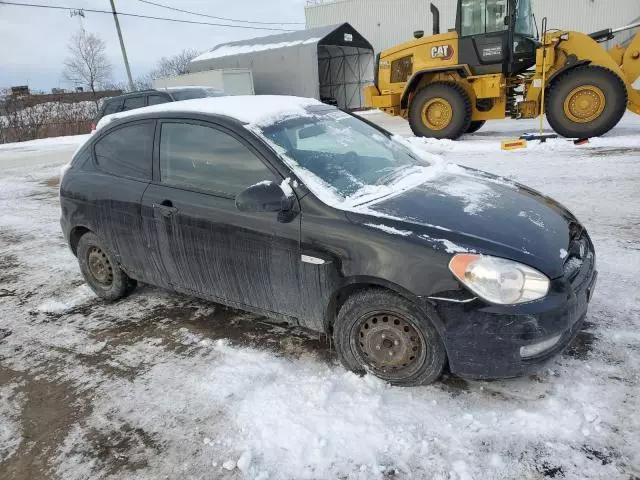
(460, 115)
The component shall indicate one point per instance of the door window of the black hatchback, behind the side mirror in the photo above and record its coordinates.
(208, 159)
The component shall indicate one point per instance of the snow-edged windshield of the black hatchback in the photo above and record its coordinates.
(353, 158)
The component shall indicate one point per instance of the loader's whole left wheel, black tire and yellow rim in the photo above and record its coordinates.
(440, 110)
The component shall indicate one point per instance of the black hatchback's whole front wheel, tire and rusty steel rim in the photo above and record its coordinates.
(393, 325)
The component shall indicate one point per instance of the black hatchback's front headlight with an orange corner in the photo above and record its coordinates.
(498, 280)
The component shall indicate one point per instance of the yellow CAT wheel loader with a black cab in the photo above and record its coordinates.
(493, 65)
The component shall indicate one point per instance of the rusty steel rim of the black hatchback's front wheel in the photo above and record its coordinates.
(388, 345)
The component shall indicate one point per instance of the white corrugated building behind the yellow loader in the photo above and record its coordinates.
(385, 23)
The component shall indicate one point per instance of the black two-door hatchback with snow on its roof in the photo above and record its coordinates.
(296, 210)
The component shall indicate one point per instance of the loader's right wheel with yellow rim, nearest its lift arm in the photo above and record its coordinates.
(559, 107)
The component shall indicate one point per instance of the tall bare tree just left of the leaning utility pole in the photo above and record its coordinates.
(87, 64)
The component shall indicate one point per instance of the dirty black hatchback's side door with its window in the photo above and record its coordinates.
(208, 246)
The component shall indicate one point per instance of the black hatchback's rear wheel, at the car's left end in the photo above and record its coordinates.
(101, 271)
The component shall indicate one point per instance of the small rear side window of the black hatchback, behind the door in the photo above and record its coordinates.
(127, 151)
